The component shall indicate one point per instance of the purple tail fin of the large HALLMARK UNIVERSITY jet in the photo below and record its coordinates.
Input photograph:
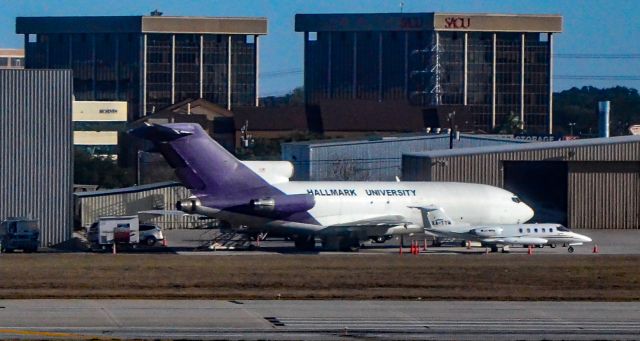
(202, 164)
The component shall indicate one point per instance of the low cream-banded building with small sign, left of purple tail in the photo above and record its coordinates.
(96, 126)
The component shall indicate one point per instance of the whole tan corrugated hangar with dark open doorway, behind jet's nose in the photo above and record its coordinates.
(591, 183)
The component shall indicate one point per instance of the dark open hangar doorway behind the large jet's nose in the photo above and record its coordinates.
(540, 184)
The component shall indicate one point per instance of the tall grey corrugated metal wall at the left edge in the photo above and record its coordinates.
(36, 149)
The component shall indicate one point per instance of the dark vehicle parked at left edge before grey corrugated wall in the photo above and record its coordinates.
(19, 233)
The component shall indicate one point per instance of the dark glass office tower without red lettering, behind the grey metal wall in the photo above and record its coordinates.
(152, 61)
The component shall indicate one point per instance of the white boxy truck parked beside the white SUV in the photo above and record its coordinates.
(121, 230)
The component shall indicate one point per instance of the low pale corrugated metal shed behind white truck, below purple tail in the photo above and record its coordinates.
(90, 207)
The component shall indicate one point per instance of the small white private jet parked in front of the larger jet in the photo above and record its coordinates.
(436, 222)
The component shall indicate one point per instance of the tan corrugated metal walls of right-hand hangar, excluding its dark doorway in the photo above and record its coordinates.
(604, 189)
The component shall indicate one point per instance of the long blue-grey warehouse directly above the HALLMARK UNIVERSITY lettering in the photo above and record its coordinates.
(373, 159)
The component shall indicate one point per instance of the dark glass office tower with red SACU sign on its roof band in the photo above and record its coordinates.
(486, 68)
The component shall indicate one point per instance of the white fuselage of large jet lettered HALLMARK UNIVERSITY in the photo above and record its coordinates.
(343, 202)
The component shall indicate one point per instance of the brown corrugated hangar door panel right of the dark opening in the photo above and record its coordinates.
(604, 195)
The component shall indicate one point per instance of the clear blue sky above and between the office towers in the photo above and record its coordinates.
(590, 26)
